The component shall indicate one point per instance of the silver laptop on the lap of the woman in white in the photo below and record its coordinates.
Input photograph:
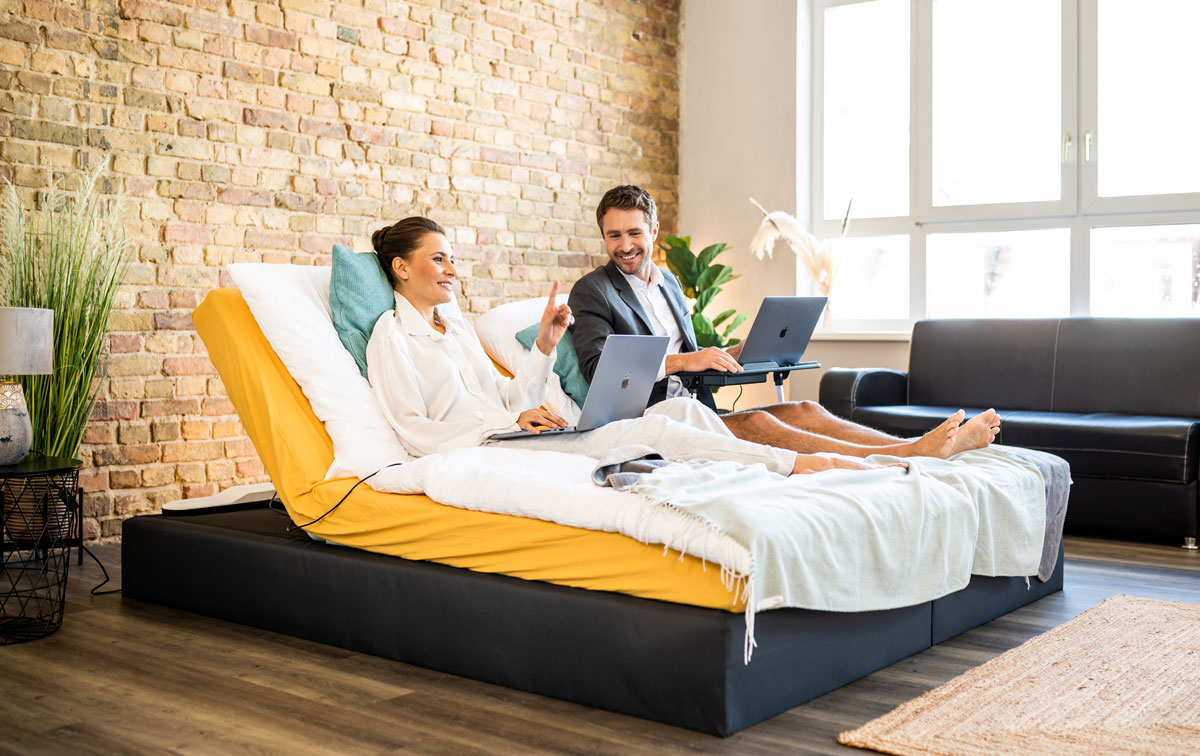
(621, 387)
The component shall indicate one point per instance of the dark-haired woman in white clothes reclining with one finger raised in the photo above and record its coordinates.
(440, 391)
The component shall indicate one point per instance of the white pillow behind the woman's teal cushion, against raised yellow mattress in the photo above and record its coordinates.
(291, 304)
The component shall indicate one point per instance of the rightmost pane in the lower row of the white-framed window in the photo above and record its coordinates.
(1147, 272)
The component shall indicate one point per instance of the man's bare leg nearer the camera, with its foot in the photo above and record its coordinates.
(765, 428)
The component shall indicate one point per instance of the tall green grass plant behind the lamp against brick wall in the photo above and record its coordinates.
(67, 255)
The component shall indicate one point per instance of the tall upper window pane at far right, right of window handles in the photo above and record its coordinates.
(1148, 109)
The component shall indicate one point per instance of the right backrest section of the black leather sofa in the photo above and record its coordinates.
(1136, 367)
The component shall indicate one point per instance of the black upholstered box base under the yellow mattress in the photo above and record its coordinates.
(675, 664)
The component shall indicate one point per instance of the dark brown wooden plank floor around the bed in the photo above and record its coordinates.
(127, 677)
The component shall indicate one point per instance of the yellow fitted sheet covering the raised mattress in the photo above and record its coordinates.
(297, 452)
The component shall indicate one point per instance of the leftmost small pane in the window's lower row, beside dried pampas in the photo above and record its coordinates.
(872, 283)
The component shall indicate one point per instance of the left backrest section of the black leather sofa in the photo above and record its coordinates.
(983, 363)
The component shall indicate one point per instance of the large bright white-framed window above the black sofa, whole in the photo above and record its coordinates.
(1007, 158)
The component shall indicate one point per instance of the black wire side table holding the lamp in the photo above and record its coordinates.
(41, 520)
